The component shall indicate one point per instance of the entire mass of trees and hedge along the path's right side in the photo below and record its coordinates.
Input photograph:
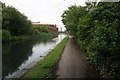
(96, 27)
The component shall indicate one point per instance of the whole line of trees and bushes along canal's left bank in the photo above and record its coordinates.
(15, 24)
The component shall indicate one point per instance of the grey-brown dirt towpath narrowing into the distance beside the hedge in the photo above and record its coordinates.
(73, 64)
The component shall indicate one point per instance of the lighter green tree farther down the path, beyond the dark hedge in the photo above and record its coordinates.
(71, 17)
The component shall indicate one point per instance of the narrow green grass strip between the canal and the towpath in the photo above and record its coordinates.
(43, 68)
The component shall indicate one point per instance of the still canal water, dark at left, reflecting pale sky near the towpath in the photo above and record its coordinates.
(20, 55)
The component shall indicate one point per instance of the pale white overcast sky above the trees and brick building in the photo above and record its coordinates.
(45, 11)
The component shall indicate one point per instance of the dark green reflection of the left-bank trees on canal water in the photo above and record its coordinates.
(15, 53)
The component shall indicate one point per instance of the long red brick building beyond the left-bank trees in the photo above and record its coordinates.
(52, 28)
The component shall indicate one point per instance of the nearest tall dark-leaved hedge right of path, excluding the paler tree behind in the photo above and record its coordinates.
(99, 35)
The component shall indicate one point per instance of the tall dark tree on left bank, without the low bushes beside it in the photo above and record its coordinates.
(14, 21)
